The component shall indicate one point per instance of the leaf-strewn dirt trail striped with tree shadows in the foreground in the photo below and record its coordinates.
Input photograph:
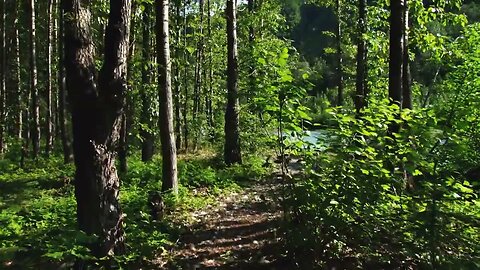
(241, 232)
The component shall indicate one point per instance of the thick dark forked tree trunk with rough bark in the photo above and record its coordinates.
(96, 119)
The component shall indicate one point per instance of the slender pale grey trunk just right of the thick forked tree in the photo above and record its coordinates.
(167, 137)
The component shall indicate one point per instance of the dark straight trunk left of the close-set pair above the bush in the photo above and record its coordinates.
(361, 79)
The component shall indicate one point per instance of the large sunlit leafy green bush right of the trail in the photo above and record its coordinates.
(391, 198)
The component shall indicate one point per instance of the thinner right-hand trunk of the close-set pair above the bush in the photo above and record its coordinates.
(407, 77)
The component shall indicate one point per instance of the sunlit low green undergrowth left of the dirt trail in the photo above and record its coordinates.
(38, 219)
